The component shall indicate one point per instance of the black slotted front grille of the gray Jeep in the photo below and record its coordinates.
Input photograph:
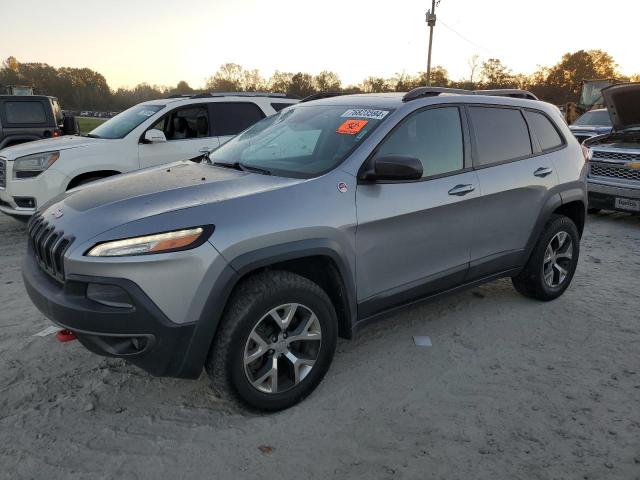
(49, 246)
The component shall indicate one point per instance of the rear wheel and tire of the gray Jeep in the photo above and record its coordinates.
(531, 281)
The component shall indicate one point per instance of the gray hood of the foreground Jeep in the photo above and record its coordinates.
(98, 207)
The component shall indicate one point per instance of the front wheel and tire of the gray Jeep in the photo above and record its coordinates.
(247, 317)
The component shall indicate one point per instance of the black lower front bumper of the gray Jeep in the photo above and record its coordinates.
(142, 335)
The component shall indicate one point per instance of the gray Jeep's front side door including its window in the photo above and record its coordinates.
(414, 238)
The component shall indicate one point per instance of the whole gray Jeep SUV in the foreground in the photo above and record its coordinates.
(304, 227)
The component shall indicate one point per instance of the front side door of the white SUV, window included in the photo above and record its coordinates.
(188, 132)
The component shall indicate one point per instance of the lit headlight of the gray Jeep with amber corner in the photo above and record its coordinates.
(158, 243)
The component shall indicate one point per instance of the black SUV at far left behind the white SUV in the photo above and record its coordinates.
(31, 117)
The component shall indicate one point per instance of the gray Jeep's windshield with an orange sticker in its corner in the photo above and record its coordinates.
(303, 141)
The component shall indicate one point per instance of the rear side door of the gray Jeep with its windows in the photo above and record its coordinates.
(516, 178)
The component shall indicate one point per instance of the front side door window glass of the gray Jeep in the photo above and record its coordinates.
(433, 136)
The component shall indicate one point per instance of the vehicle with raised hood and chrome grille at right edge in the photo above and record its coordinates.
(614, 159)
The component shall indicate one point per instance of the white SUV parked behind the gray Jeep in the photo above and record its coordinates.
(148, 134)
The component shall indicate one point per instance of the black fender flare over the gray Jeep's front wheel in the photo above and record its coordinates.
(211, 315)
